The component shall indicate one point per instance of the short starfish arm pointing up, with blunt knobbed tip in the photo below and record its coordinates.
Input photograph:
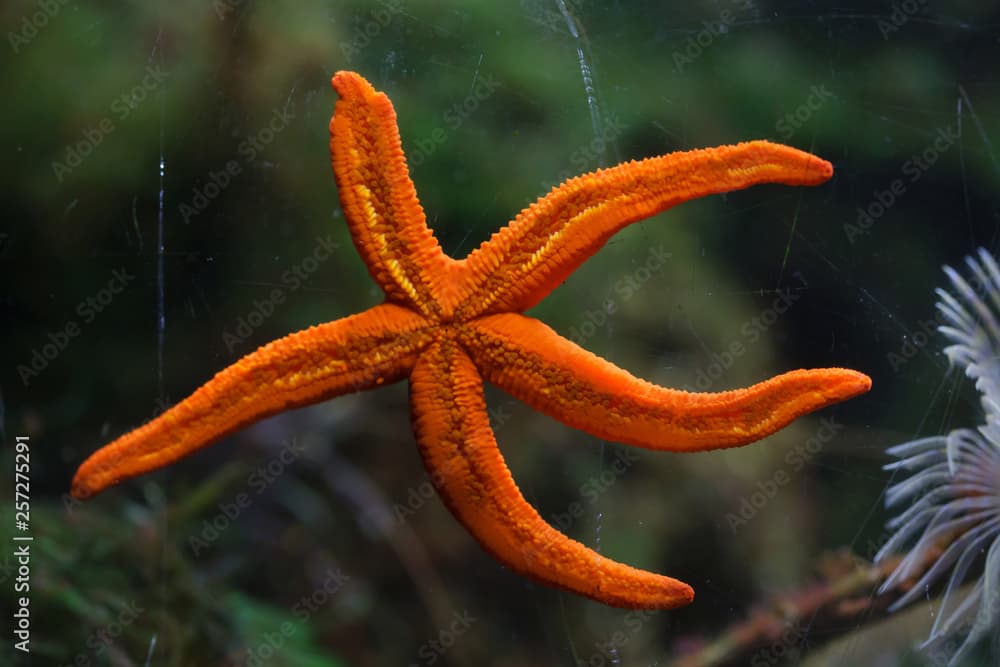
(378, 198)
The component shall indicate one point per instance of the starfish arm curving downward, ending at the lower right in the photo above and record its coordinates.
(466, 467)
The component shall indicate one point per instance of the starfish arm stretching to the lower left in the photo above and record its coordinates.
(355, 353)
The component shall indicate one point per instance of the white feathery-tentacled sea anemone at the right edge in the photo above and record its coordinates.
(953, 488)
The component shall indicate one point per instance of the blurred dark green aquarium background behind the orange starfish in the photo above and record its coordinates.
(341, 556)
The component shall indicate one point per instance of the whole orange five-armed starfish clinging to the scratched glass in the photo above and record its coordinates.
(447, 325)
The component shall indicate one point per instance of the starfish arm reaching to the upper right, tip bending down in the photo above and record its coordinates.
(527, 259)
